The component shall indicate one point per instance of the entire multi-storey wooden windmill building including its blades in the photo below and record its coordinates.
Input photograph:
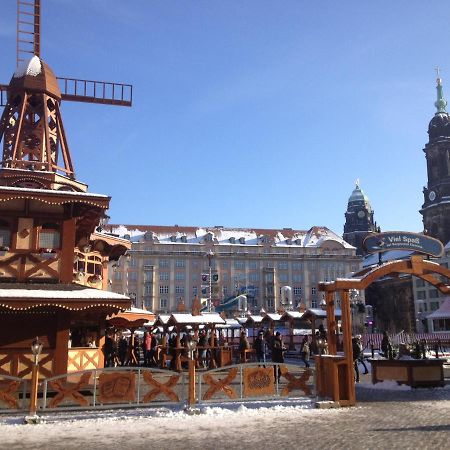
(53, 260)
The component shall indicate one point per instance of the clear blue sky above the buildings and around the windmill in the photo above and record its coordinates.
(249, 113)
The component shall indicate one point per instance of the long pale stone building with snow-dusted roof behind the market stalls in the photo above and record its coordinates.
(169, 265)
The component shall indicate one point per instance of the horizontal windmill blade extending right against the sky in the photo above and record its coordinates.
(90, 91)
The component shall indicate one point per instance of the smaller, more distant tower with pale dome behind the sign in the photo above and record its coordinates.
(358, 219)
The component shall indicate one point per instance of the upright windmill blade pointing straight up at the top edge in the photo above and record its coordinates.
(28, 29)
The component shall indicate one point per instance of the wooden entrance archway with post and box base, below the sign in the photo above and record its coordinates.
(335, 377)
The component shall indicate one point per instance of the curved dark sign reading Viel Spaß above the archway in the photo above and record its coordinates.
(402, 240)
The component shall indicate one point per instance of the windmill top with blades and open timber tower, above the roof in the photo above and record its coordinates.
(31, 125)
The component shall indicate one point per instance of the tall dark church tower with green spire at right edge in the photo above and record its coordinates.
(436, 207)
